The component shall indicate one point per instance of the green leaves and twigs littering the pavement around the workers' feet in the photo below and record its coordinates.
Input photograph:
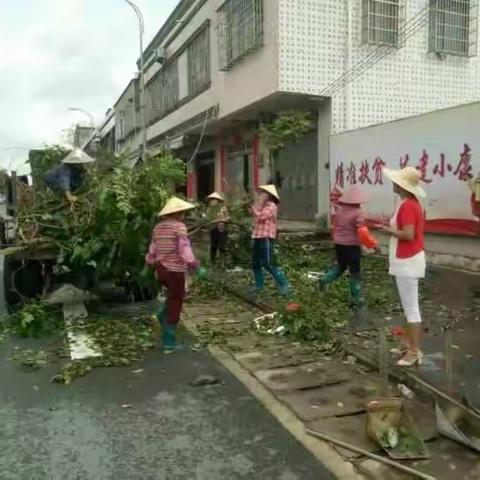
(319, 313)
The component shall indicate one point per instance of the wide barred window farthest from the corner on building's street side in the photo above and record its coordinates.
(162, 92)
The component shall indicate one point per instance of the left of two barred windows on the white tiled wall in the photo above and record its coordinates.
(381, 21)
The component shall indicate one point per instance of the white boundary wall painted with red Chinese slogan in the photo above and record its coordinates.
(442, 135)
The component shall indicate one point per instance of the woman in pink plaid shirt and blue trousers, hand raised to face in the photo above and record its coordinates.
(265, 212)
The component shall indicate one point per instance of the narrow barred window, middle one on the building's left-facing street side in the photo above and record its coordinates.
(198, 52)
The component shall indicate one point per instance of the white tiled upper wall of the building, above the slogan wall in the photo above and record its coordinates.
(313, 53)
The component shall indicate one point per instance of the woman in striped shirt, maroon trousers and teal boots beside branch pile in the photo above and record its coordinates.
(171, 253)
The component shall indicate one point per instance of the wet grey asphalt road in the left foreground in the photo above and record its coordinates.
(171, 431)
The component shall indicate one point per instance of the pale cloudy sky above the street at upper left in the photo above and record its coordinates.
(58, 54)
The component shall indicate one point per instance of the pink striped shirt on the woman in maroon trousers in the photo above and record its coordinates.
(165, 239)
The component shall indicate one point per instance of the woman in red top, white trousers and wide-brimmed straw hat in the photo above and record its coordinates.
(407, 255)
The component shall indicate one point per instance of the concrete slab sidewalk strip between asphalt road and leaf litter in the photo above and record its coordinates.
(325, 392)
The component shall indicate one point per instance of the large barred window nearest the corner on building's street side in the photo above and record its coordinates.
(240, 30)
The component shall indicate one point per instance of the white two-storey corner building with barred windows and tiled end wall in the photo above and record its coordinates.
(218, 68)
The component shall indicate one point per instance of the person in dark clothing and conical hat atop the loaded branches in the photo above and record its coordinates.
(69, 175)
